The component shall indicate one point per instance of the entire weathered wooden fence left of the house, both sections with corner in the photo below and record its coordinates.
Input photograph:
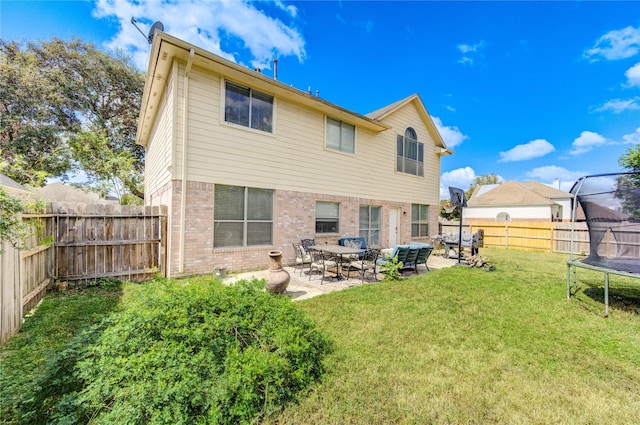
(75, 243)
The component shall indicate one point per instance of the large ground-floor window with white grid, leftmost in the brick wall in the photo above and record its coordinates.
(242, 216)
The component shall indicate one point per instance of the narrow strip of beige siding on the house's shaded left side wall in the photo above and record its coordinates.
(158, 156)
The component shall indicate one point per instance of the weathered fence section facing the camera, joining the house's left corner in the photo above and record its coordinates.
(99, 241)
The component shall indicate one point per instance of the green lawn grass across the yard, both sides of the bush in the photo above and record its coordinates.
(456, 345)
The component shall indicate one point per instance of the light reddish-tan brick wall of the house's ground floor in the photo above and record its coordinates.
(294, 219)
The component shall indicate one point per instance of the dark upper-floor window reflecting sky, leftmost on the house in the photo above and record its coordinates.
(247, 107)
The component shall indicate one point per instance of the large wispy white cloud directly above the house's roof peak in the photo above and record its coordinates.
(212, 25)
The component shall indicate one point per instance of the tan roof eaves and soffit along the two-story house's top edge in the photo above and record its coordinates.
(166, 49)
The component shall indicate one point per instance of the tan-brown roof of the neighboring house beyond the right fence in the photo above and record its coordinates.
(512, 193)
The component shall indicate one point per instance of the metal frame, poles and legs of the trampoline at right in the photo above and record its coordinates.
(575, 263)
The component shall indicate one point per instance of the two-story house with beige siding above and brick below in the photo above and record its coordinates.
(247, 164)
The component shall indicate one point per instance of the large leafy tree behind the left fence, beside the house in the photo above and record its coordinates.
(56, 92)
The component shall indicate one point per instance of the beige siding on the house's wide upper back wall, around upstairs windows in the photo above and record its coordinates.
(294, 156)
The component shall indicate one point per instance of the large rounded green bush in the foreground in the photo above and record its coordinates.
(197, 353)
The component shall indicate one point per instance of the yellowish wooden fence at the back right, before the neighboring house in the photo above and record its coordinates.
(527, 235)
